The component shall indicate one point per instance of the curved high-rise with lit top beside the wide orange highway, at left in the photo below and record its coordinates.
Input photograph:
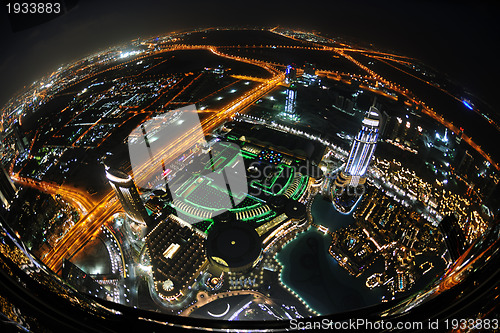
(127, 193)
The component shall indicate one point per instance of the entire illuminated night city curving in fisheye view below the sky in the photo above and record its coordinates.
(235, 214)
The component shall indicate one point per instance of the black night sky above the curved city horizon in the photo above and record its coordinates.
(459, 38)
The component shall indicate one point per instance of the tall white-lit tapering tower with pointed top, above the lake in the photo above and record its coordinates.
(361, 151)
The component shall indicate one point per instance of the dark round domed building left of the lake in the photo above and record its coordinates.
(233, 246)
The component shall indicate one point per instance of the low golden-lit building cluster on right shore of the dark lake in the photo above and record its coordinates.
(385, 228)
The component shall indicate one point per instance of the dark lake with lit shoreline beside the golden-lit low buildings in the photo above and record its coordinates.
(310, 271)
